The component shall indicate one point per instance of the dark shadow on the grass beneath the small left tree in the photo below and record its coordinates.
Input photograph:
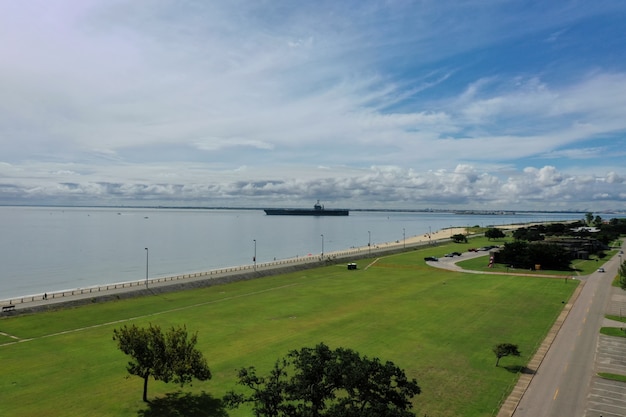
(179, 404)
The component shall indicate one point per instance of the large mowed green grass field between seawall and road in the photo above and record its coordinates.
(439, 326)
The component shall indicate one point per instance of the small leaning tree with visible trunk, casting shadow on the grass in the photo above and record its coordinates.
(169, 356)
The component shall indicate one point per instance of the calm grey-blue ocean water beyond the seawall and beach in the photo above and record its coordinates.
(46, 249)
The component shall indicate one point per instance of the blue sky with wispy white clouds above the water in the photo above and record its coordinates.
(426, 104)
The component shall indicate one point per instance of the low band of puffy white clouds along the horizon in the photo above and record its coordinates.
(464, 187)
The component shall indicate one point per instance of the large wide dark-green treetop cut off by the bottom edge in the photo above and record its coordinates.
(325, 382)
